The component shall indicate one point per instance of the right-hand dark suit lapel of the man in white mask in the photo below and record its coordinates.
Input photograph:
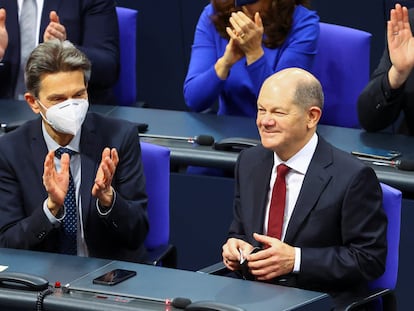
(90, 145)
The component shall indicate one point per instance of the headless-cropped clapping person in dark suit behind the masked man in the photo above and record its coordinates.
(91, 25)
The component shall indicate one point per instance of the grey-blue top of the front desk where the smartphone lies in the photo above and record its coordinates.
(156, 283)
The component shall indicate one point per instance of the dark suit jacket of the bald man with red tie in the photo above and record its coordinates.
(338, 220)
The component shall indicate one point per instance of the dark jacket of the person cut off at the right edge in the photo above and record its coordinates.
(380, 107)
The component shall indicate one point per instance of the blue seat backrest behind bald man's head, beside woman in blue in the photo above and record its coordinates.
(342, 65)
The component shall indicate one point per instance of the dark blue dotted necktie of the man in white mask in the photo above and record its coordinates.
(68, 241)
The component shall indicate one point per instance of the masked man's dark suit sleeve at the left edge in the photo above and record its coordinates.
(23, 224)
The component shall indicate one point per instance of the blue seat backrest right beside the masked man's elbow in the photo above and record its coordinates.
(156, 162)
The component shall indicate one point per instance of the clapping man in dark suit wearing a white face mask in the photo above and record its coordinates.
(110, 210)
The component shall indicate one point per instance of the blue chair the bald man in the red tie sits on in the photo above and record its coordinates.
(383, 288)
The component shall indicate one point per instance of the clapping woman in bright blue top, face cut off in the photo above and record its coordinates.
(238, 44)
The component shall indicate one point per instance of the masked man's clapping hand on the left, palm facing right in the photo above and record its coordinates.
(56, 183)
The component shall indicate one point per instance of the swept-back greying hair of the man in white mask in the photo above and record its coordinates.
(54, 56)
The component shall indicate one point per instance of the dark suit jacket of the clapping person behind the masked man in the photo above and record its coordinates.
(91, 25)
